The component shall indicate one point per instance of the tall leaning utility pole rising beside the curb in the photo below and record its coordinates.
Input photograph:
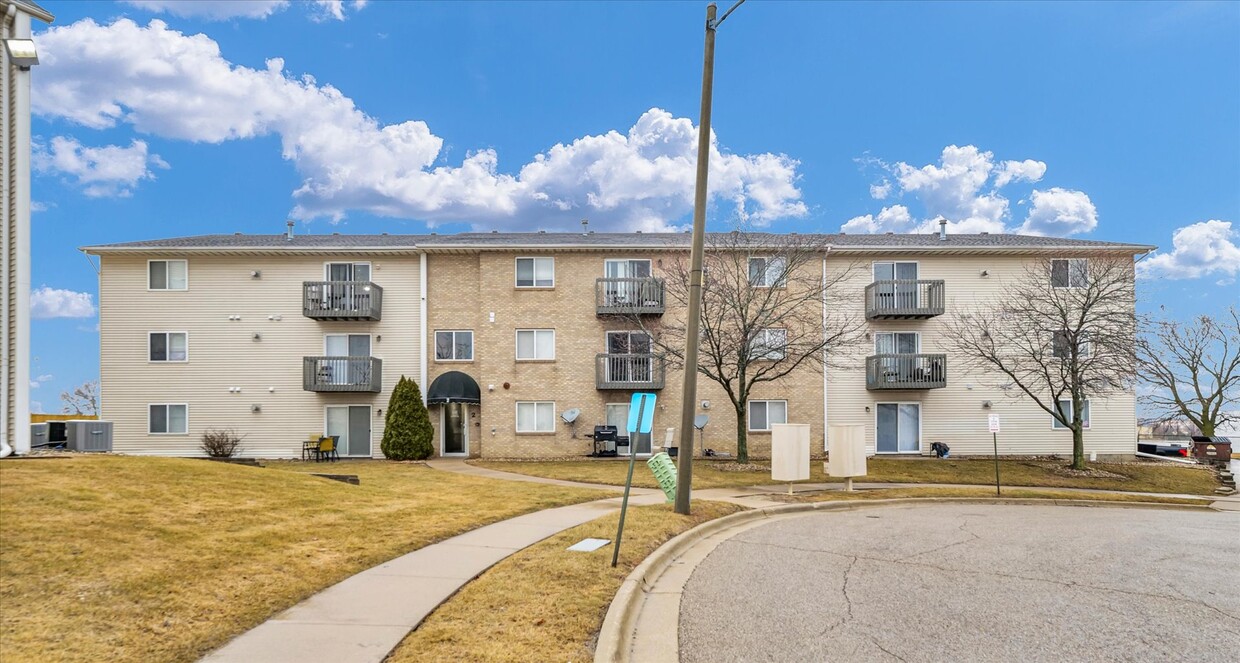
(689, 396)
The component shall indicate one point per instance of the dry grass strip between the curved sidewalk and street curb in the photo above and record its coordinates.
(545, 603)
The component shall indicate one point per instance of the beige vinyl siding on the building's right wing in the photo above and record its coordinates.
(955, 415)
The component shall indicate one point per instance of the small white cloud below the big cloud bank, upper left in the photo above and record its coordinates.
(108, 172)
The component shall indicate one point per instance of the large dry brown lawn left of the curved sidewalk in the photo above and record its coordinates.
(111, 558)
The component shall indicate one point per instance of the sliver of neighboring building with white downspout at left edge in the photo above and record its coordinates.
(15, 61)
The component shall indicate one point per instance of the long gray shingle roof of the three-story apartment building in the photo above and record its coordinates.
(499, 241)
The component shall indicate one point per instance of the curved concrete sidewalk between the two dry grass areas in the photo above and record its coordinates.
(364, 618)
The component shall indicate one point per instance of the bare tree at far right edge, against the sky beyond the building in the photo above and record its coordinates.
(1193, 369)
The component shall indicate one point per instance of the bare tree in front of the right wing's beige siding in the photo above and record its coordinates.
(1062, 333)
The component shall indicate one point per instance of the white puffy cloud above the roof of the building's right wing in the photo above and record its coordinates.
(964, 189)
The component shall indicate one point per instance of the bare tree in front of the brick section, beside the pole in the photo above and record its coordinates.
(762, 314)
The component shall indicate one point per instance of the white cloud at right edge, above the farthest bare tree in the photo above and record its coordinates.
(1201, 250)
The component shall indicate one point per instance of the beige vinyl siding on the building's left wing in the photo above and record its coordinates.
(223, 353)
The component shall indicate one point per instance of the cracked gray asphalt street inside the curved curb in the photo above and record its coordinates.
(978, 583)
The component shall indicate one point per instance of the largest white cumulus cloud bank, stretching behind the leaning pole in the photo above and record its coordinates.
(179, 86)
